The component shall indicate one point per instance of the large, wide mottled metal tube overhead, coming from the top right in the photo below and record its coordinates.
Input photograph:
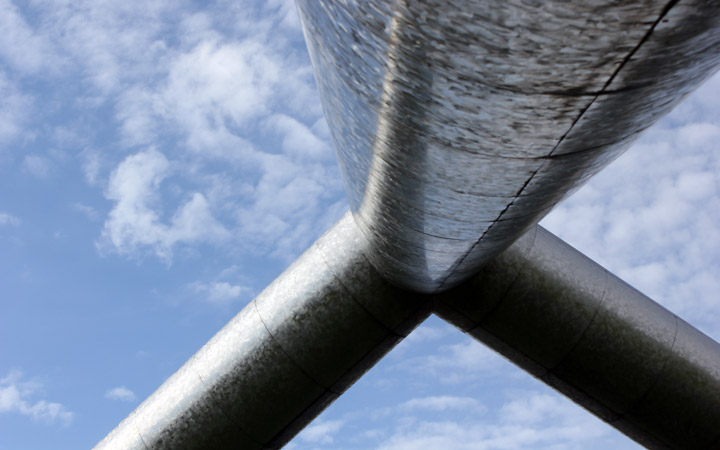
(459, 125)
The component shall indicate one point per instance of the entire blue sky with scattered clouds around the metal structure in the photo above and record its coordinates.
(161, 162)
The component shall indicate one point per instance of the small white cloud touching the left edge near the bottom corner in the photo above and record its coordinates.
(15, 398)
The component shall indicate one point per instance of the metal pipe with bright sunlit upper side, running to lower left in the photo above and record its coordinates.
(292, 351)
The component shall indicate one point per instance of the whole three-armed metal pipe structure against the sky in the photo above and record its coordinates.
(458, 126)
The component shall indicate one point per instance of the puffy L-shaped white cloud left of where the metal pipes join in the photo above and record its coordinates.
(133, 224)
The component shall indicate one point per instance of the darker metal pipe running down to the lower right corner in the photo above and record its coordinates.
(585, 332)
